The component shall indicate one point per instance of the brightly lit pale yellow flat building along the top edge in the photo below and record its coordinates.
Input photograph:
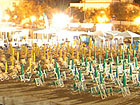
(90, 4)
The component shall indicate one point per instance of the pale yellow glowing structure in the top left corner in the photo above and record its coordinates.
(5, 4)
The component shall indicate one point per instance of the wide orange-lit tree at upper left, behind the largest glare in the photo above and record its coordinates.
(36, 8)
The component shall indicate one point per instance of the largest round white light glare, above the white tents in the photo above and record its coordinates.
(60, 20)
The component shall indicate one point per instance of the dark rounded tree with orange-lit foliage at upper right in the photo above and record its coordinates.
(124, 11)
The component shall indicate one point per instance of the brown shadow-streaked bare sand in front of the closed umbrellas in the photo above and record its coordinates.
(14, 92)
